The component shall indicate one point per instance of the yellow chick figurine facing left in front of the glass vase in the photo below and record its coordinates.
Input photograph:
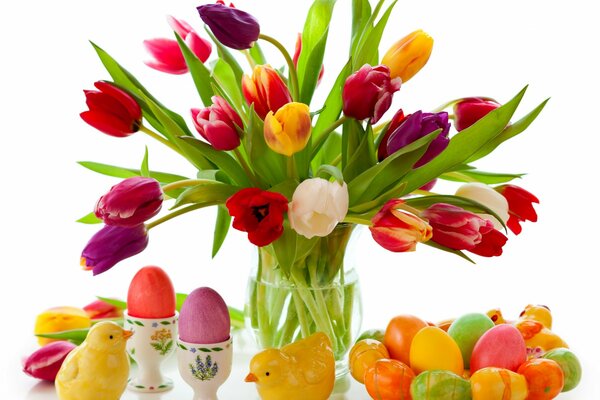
(299, 371)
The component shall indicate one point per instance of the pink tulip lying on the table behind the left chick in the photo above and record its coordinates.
(45, 362)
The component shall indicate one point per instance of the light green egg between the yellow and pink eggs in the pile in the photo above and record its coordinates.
(467, 330)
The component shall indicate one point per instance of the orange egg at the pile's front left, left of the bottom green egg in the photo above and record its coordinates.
(389, 380)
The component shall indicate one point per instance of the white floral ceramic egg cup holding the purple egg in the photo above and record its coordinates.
(205, 367)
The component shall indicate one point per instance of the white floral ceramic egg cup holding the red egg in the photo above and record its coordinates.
(153, 341)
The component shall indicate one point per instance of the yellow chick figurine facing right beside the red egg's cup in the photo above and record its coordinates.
(98, 369)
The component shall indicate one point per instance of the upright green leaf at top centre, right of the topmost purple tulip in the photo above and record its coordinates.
(314, 39)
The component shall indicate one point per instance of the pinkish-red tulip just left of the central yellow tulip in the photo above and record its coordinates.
(217, 124)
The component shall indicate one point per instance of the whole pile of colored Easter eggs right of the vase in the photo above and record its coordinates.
(477, 356)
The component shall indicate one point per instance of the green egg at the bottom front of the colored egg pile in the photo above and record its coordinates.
(440, 385)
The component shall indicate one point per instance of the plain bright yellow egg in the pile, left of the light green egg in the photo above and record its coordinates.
(432, 348)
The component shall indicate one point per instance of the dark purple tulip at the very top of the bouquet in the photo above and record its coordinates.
(232, 27)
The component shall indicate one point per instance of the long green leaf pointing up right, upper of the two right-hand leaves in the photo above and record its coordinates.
(464, 144)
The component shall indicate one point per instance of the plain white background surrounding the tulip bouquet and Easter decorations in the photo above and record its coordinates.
(481, 48)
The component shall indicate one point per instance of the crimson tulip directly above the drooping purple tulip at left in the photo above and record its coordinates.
(130, 202)
